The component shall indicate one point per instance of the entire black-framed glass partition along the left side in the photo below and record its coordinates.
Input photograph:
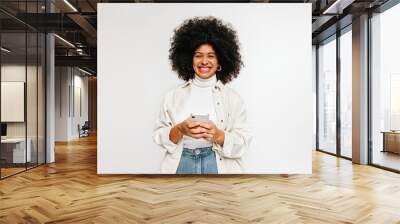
(22, 63)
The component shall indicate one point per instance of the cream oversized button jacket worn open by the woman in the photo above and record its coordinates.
(231, 118)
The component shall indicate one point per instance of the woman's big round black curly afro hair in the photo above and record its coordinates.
(207, 30)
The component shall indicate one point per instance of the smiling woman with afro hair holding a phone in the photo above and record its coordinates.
(205, 53)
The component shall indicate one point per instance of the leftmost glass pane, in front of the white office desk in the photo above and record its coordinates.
(13, 94)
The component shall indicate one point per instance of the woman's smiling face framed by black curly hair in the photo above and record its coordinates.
(205, 62)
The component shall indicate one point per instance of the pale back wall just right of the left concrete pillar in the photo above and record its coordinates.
(68, 81)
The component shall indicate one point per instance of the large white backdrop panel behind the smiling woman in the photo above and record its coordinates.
(134, 73)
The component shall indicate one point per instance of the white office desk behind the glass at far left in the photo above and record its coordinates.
(13, 150)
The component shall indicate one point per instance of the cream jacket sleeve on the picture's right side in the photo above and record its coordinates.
(237, 135)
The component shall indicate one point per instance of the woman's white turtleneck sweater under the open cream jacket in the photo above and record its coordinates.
(200, 102)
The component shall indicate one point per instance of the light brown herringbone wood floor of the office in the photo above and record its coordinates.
(70, 191)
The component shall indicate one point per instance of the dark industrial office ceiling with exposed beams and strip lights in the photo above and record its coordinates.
(76, 21)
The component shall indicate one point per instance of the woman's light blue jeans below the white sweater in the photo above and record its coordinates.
(197, 161)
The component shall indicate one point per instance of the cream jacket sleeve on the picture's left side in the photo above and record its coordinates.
(162, 129)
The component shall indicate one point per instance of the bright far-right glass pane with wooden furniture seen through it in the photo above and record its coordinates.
(385, 89)
